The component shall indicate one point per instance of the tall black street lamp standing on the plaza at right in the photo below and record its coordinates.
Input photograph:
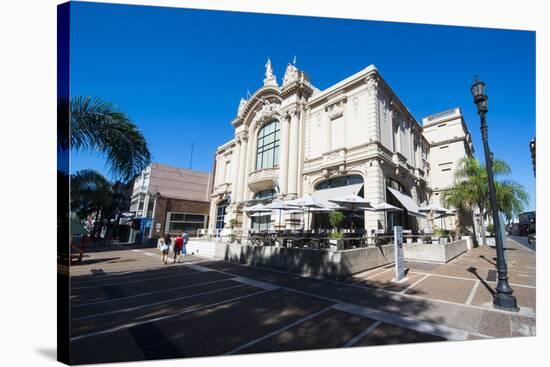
(503, 298)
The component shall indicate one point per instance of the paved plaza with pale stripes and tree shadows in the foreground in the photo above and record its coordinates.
(126, 305)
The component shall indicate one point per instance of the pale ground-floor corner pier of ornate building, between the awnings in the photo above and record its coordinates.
(375, 190)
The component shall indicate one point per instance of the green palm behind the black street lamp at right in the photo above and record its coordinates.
(471, 190)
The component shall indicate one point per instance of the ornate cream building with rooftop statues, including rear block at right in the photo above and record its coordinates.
(355, 137)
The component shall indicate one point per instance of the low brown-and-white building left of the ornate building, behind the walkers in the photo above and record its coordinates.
(168, 199)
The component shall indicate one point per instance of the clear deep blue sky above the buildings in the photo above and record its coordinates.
(179, 74)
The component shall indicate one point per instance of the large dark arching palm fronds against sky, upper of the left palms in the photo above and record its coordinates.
(86, 123)
